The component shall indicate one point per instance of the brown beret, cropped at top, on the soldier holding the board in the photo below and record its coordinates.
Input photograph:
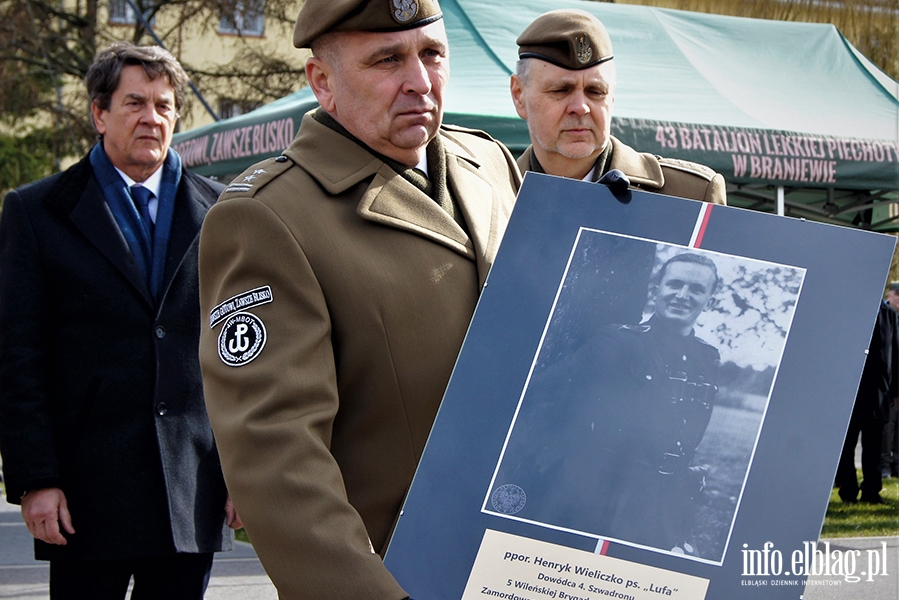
(324, 16)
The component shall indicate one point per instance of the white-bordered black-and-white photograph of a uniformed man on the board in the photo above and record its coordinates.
(641, 413)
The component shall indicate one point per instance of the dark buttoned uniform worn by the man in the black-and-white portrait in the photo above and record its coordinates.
(660, 390)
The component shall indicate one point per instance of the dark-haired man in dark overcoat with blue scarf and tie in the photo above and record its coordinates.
(103, 429)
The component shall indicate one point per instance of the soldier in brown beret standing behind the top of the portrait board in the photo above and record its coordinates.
(565, 88)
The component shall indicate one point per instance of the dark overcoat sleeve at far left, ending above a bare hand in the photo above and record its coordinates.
(26, 427)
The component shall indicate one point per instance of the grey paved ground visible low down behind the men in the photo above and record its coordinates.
(238, 575)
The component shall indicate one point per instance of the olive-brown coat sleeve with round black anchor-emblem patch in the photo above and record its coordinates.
(272, 405)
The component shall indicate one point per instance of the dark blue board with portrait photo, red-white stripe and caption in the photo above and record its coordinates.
(650, 402)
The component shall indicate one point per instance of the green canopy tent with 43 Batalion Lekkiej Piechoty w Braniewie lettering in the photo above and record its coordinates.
(796, 119)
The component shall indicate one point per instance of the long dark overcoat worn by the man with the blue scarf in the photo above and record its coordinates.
(100, 386)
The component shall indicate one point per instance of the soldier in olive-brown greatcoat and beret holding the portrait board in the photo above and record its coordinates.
(339, 279)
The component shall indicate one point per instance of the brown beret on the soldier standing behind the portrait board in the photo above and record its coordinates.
(568, 38)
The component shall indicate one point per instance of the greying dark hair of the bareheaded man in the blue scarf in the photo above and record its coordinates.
(105, 73)
